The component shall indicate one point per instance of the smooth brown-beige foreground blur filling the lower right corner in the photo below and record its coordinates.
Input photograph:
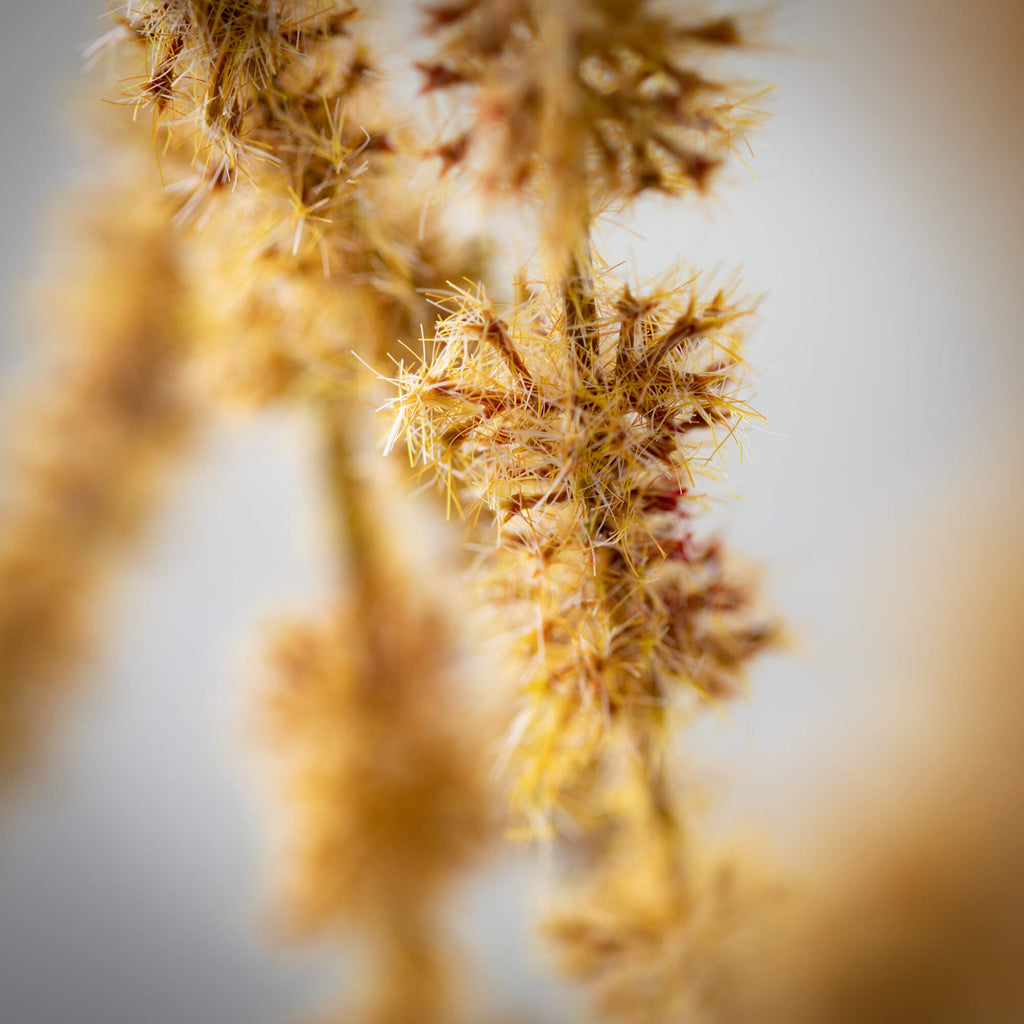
(915, 911)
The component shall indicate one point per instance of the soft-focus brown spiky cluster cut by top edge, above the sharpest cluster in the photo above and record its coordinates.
(594, 101)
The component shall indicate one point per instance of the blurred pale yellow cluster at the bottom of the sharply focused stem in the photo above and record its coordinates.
(655, 925)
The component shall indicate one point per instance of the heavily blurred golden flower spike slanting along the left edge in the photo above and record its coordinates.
(92, 458)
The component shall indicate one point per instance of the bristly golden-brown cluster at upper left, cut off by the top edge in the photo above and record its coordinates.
(319, 246)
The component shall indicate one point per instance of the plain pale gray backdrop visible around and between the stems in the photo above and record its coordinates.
(885, 224)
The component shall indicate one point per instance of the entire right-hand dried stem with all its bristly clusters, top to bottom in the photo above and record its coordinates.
(584, 418)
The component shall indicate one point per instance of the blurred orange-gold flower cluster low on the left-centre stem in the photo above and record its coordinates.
(385, 795)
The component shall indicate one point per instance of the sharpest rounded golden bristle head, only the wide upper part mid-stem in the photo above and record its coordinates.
(592, 437)
